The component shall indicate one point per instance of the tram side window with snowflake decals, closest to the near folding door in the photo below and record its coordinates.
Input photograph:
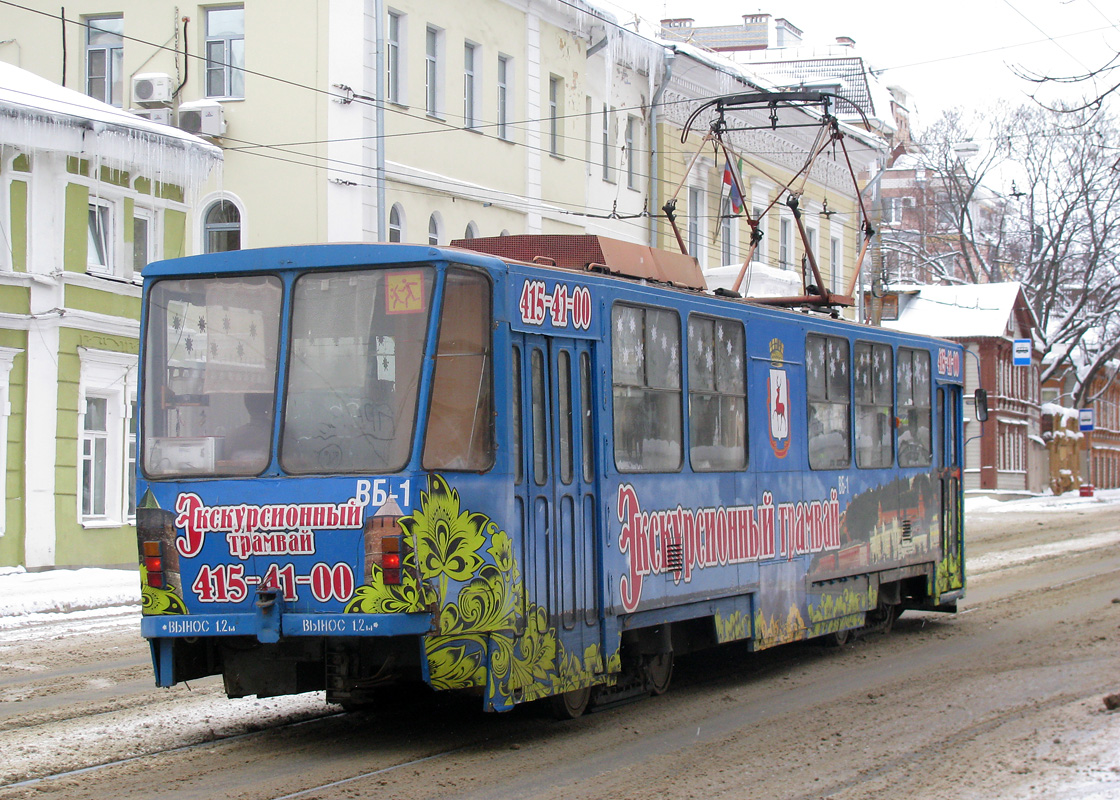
(647, 383)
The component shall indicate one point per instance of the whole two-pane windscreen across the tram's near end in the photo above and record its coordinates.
(212, 352)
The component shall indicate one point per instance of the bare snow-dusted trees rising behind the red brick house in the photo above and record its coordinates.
(1058, 232)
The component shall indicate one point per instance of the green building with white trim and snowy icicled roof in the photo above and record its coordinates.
(89, 196)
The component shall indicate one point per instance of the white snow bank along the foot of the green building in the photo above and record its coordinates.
(24, 593)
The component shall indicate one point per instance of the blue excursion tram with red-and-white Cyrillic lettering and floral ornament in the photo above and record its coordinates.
(525, 473)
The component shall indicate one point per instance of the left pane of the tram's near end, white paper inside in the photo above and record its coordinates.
(210, 376)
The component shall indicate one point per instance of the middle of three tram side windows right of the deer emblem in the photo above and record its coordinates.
(874, 420)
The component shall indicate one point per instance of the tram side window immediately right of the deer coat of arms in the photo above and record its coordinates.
(829, 393)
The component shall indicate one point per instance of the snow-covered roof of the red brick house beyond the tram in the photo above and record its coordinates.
(960, 312)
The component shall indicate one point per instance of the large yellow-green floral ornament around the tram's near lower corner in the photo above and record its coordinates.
(483, 638)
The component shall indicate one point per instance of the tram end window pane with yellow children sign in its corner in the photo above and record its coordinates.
(354, 370)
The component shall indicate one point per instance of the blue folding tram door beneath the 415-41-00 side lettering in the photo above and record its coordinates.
(558, 487)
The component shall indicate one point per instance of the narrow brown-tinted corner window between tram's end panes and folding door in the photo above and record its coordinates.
(461, 420)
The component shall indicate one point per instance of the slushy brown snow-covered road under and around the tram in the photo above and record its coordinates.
(1002, 701)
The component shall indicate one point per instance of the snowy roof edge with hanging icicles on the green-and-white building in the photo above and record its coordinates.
(38, 115)
